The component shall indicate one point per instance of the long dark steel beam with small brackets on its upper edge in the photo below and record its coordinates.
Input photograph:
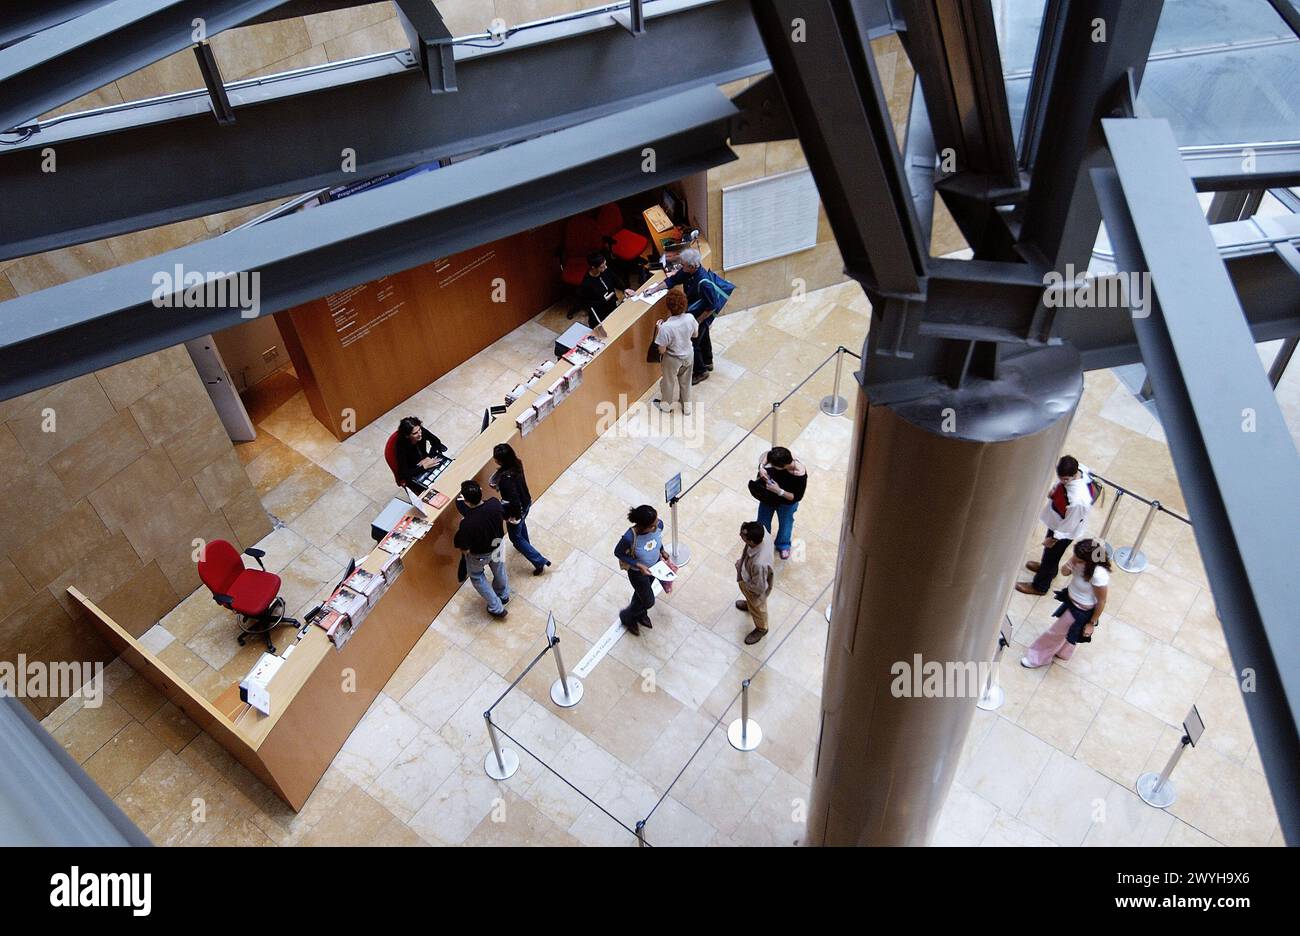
(292, 131)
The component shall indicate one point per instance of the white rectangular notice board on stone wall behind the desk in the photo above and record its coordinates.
(769, 218)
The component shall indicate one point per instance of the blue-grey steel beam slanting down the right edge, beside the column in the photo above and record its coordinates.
(1236, 461)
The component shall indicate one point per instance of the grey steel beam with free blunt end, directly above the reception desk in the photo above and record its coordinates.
(88, 324)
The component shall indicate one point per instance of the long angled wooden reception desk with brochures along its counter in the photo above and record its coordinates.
(320, 694)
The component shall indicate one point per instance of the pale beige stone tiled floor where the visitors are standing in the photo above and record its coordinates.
(1056, 765)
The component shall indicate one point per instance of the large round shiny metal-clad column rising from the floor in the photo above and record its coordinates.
(943, 493)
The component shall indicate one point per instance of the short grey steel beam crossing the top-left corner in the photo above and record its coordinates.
(75, 58)
